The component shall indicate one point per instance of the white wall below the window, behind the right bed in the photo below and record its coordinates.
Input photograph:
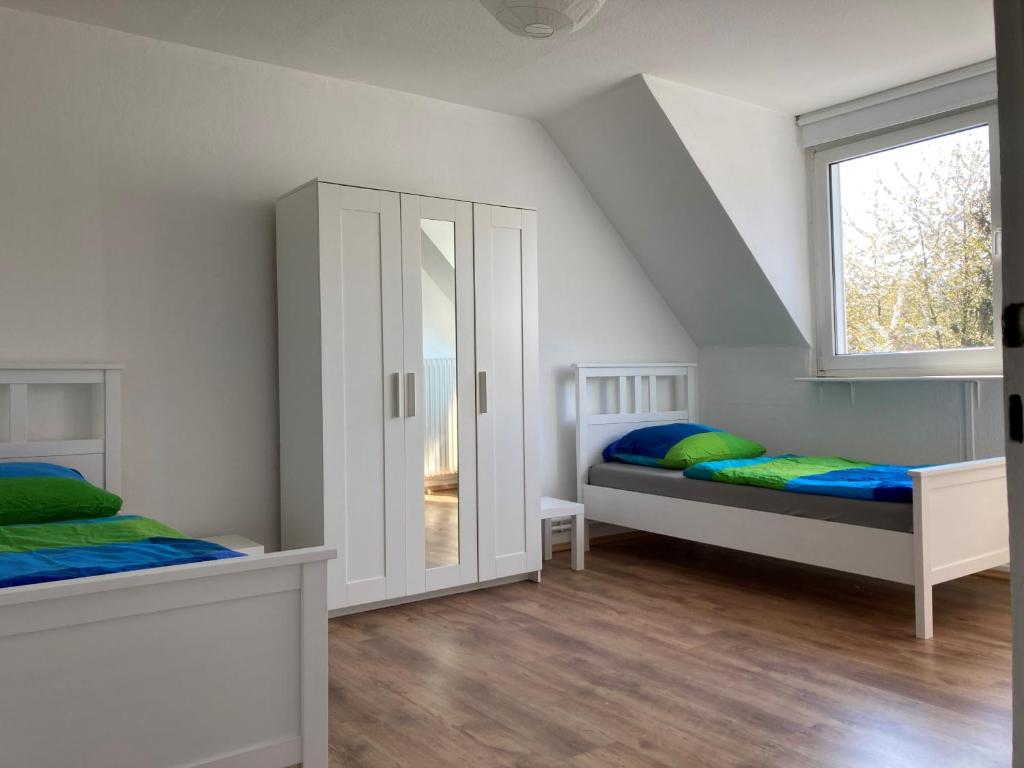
(752, 392)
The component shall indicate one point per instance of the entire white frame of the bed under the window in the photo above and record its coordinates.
(961, 519)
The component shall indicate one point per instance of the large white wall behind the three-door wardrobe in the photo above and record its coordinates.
(138, 182)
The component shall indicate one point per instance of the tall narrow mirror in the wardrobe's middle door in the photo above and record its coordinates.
(441, 411)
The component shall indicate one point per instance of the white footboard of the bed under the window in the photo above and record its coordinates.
(961, 525)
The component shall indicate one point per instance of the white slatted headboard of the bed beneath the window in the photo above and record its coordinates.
(615, 399)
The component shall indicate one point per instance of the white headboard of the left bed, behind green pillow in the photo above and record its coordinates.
(67, 414)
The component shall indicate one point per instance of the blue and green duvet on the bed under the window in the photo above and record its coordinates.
(826, 476)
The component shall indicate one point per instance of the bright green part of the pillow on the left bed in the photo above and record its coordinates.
(53, 499)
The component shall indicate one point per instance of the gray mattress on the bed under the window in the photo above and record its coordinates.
(671, 483)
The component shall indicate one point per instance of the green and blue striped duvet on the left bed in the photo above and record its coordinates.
(33, 553)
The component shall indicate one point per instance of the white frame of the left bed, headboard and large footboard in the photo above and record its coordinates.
(222, 665)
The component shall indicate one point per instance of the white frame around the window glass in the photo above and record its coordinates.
(934, 363)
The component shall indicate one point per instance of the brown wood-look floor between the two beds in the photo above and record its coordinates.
(664, 654)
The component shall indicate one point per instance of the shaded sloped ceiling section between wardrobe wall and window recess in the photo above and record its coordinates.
(634, 162)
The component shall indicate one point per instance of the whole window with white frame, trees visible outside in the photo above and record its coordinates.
(907, 277)
